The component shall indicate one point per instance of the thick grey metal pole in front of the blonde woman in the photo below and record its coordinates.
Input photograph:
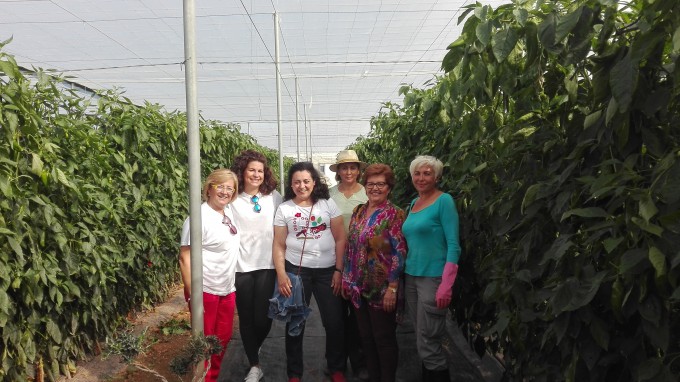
(194, 147)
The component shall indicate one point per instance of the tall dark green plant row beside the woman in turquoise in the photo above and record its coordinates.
(559, 126)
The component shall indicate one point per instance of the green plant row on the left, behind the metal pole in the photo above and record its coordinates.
(93, 195)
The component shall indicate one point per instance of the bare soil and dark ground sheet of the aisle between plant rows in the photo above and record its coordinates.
(465, 365)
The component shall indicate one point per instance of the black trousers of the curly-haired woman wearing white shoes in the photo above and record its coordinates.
(252, 302)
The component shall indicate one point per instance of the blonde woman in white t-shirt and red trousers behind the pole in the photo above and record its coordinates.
(219, 247)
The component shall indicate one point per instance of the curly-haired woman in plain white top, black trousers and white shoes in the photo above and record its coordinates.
(254, 211)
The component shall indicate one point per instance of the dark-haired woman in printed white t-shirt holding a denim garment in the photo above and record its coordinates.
(309, 218)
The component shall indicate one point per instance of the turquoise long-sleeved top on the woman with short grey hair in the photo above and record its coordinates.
(432, 237)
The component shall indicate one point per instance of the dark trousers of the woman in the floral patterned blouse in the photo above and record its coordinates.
(378, 331)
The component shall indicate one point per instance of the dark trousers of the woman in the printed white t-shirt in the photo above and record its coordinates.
(317, 281)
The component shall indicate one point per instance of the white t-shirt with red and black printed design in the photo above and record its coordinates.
(320, 246)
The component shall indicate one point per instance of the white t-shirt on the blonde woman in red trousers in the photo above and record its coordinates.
(219, 250)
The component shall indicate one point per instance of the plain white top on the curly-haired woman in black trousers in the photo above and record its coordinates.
(256, 230)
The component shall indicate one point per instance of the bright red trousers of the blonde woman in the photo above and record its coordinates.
(218, 320)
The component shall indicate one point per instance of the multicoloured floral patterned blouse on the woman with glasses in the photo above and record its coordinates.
(375, 254)
